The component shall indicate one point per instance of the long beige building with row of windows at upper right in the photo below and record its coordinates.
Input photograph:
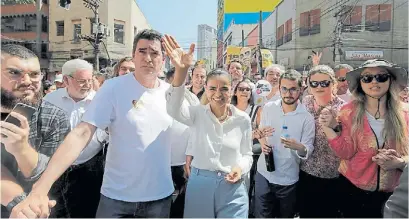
(370, 29)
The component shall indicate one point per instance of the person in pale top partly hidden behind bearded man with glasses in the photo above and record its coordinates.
(272, 75)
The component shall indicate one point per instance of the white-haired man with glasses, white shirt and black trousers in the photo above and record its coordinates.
(83, 179)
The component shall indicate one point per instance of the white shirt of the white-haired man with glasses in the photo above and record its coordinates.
(75, 111)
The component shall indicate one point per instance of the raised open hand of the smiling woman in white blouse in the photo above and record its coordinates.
(179, 58)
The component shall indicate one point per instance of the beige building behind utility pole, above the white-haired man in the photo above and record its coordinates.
(122, 19)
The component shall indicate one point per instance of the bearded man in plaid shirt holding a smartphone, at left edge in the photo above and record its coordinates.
(26, 145)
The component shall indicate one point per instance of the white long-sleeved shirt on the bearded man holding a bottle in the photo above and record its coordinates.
(301, 127)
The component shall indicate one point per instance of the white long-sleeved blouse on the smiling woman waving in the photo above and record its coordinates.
(215, 146)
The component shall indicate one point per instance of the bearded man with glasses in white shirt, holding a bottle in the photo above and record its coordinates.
(275, 192)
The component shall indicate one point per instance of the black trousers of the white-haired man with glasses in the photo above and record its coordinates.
(82, 188)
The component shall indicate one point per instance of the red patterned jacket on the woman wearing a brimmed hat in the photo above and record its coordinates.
(356, 151)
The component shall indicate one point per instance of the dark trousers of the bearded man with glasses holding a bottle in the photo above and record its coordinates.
(273, 200)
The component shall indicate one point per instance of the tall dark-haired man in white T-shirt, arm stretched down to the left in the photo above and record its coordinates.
(137, 180)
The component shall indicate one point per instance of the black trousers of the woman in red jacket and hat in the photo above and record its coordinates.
(358, 203)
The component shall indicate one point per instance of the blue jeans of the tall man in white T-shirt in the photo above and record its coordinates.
(111, 208)
